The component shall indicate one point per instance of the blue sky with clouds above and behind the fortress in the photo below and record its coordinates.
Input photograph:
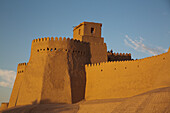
(141, 28)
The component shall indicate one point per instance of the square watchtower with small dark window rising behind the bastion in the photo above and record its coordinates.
(91, 32)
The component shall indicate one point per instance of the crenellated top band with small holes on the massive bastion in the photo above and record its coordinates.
(54, 45)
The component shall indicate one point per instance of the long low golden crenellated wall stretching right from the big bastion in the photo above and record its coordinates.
(127, 78)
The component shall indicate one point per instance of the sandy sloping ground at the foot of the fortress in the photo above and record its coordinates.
(155, 101)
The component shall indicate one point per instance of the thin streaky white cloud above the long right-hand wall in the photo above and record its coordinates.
(140, 46)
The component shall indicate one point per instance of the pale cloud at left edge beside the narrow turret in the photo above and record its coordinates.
(7, 78)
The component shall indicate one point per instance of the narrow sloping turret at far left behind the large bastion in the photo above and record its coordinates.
(18, 82)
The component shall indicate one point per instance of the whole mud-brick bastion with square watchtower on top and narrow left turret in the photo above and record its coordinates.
(55, 72)
